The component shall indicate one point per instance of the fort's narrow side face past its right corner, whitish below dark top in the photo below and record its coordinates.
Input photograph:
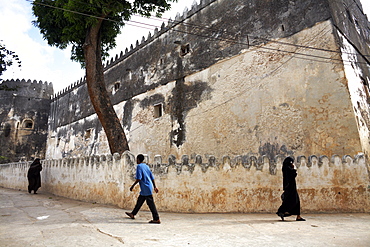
(352, 29)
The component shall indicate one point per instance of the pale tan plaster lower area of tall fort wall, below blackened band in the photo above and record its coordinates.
(261, 101)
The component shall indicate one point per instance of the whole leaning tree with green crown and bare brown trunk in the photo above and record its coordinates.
(91, 27)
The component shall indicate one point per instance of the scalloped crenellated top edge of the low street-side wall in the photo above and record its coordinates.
(186, 163)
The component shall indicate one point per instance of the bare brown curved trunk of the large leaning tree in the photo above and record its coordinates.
(98, 93)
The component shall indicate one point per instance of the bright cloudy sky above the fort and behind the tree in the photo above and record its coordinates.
(45, 63)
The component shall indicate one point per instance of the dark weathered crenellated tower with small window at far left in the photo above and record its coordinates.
(24, 112)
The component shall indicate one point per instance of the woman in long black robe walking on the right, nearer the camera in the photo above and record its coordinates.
(291, 204)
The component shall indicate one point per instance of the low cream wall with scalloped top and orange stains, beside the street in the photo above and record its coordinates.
(206, 183)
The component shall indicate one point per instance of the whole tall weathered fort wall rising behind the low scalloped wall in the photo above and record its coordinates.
(273, 90)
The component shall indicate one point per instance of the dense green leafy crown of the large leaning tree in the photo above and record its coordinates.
(65, 22)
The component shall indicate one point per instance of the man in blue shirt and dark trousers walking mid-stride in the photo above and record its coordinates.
(145, 179)
